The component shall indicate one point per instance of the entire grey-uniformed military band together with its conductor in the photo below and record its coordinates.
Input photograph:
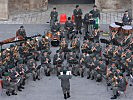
(88, 59)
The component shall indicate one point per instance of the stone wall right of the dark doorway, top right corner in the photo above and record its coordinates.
(113, 5)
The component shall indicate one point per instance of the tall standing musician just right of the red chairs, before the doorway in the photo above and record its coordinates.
(78, 18)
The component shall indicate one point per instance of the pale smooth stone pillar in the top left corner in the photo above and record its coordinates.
(3, 9)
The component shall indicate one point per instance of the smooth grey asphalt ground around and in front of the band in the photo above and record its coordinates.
(48, 88)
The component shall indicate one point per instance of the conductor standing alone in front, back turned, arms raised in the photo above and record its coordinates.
(65, 84)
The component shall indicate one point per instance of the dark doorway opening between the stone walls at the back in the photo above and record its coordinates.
(71, 1)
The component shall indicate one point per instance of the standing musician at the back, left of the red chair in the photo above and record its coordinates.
(53, 16)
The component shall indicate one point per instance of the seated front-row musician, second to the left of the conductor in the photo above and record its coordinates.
(46, 63)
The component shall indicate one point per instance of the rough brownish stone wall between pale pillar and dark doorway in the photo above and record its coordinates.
(26, 5)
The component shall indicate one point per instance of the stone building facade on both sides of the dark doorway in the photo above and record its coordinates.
(7, 7)
